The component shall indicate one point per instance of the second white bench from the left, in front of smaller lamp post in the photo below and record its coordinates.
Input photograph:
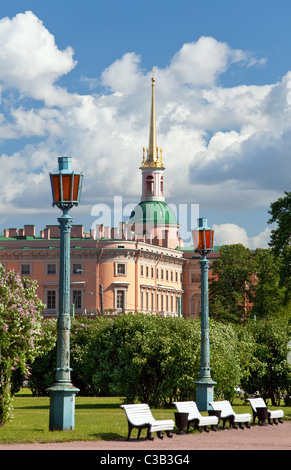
(195, 417)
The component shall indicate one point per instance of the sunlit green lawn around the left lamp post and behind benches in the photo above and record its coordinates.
(96, 418)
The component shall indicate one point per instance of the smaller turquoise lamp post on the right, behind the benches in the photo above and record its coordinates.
(203, 243)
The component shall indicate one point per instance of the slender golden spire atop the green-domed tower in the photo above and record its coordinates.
(152, 159)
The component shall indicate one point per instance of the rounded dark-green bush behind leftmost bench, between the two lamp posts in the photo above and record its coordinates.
(146, 358)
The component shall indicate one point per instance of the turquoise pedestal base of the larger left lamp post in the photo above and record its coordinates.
(62, 407)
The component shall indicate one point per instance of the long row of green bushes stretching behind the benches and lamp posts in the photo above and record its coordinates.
(152, 359)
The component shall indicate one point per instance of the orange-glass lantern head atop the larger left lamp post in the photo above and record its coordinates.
(66, 185)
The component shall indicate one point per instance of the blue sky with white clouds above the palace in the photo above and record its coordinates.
(75, 79)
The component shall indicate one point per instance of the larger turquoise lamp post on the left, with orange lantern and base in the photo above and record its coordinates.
(66, 188)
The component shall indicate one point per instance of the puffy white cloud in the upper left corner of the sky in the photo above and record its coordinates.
(30, 60)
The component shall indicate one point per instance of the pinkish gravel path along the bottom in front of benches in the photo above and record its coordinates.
(275, 437)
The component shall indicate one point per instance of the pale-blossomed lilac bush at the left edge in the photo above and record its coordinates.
(21, 337)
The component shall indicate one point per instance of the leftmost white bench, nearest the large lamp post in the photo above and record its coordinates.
(140, 416)
